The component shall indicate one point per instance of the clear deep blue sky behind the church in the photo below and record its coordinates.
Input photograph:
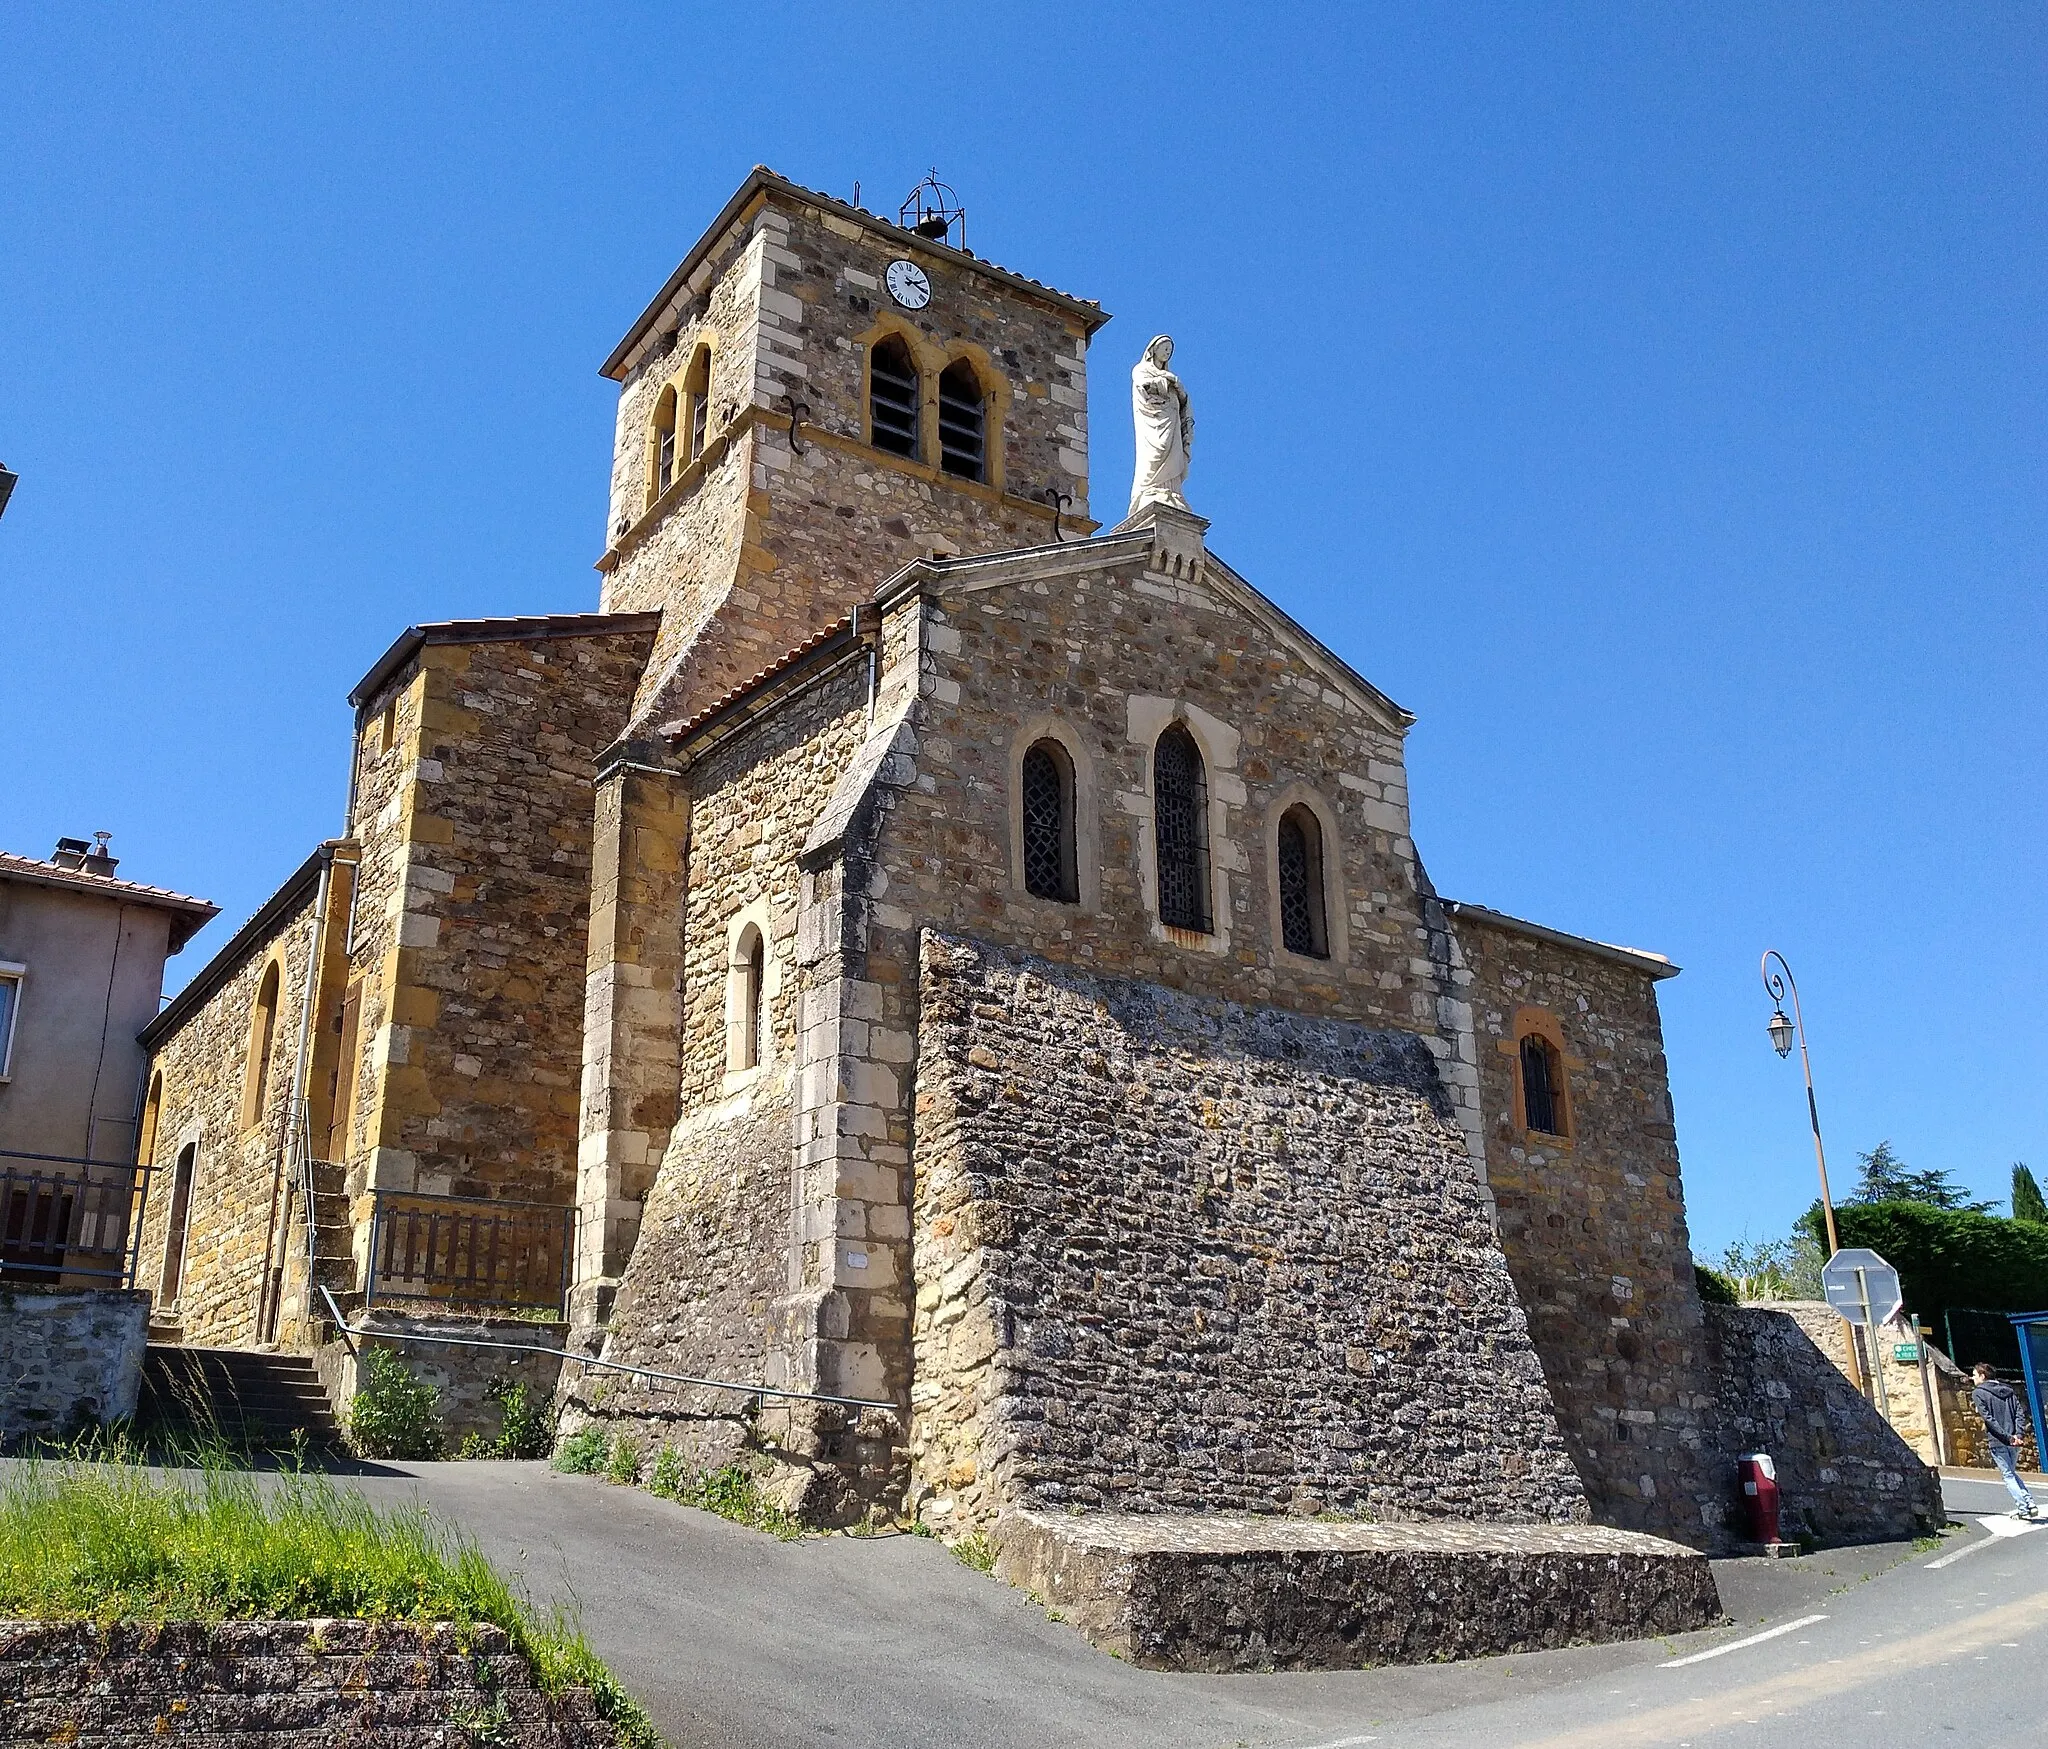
(1648, 398)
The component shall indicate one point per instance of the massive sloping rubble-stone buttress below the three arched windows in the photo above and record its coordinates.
(1179, 1254)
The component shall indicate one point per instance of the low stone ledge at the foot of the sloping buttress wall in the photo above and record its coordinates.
(1238, 1592)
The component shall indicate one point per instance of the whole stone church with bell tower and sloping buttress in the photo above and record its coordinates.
(921, 947)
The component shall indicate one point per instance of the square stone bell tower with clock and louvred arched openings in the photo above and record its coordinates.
(816, 398)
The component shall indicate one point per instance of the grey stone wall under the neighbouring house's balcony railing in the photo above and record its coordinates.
(69, 1359)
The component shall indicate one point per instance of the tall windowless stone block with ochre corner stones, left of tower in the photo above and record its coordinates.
(472, 931)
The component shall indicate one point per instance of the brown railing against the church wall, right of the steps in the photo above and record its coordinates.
(468, 1250)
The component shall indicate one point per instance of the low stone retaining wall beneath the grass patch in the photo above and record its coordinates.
(257, 1684)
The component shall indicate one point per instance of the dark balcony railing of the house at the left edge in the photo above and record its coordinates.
(71, 1222)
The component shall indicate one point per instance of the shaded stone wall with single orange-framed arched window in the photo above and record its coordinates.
(1594, 1228)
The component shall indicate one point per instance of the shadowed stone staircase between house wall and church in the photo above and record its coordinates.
(243, 1398)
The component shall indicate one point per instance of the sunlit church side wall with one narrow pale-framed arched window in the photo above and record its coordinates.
(714, 1252)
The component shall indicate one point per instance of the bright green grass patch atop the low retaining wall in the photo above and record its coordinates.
(112, 1541)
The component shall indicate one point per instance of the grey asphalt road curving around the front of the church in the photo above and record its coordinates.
(736, 1641)
